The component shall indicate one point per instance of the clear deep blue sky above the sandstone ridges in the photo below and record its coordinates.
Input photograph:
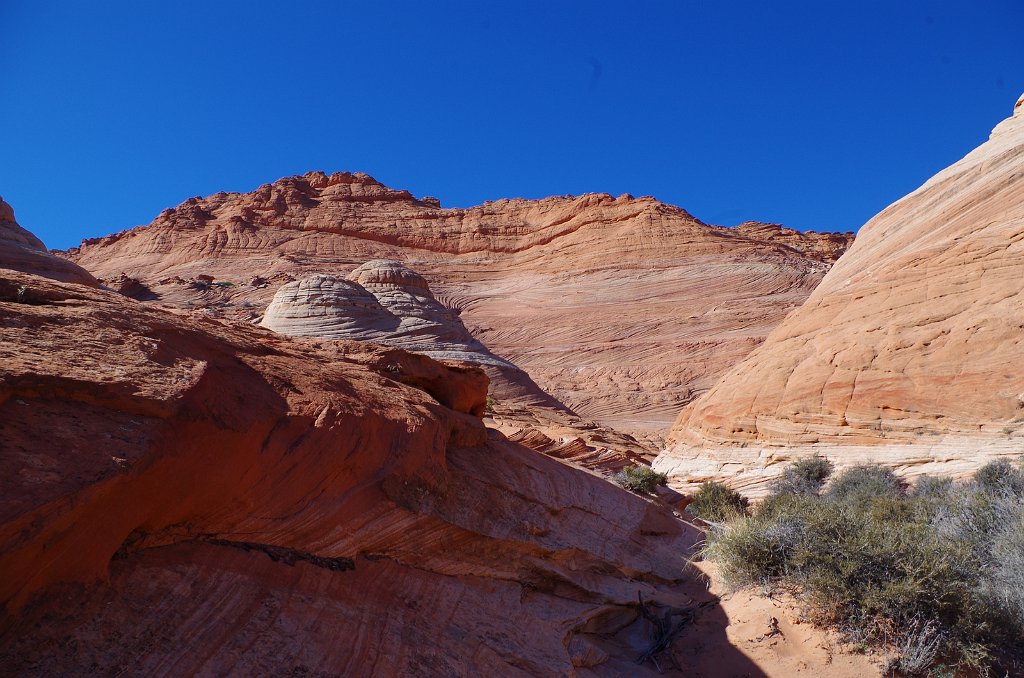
(816, 115)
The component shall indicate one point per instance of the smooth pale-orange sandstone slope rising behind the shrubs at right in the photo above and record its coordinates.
(909, 353)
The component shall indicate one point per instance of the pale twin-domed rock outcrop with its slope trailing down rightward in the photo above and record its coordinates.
(388, 303)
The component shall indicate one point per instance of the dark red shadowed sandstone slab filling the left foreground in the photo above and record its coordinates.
(183, 496)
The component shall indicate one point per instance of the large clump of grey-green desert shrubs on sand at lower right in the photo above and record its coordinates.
(934, 575)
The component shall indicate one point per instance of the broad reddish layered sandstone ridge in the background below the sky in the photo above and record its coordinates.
(622, 309)
